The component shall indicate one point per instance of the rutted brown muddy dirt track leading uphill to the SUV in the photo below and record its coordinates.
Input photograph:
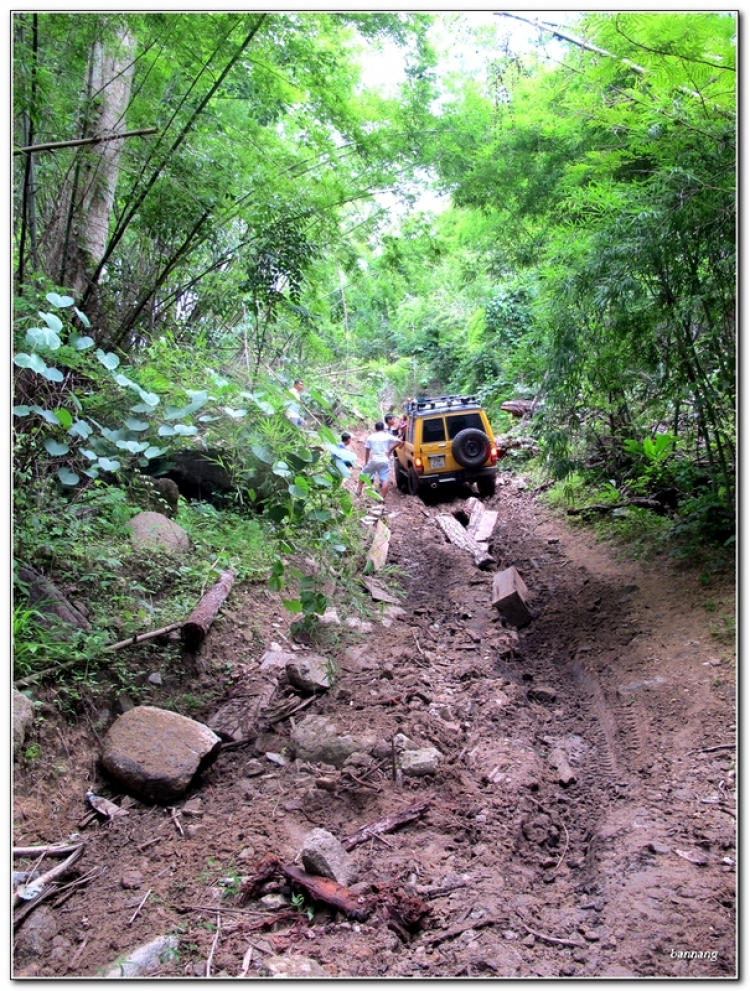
(581, 821)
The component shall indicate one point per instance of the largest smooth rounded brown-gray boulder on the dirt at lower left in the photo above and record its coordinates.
(156, 754)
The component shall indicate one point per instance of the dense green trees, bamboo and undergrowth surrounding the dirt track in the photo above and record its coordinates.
(258, 222)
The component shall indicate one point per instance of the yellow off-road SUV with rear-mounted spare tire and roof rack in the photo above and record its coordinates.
(448, 440)
